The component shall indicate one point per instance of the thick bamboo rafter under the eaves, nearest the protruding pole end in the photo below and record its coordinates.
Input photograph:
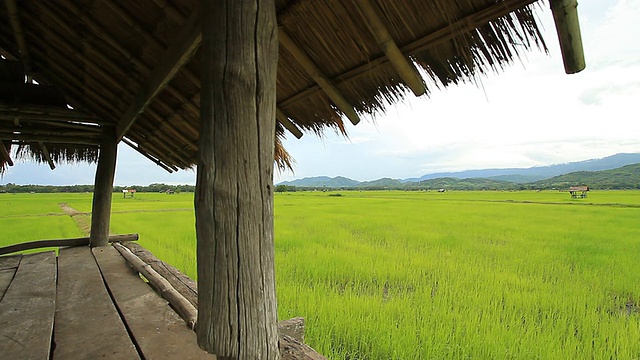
(407, 71)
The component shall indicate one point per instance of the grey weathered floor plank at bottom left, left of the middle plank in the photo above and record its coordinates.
(28, 307)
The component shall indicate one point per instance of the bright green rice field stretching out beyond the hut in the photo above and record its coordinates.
(422, 275)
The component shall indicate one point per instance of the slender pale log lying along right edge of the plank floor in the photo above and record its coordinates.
(183, 307)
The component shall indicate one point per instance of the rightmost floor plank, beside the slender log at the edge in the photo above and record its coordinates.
(159, 332)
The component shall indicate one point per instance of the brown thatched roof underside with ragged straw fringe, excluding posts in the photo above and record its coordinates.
(118, 62)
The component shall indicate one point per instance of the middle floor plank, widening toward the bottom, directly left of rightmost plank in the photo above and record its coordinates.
(88, 325)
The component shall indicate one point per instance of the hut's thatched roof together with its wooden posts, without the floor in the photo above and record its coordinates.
(216, 85)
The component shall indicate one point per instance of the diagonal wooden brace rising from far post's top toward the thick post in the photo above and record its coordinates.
(174, 58)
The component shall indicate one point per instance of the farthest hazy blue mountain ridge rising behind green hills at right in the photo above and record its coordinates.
(525, 175)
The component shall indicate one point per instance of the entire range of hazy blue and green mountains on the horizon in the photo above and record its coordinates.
(533, 176)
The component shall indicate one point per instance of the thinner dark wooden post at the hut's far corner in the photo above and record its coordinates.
(103, 188)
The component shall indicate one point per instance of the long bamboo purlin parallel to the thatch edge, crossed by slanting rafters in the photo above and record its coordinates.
(446, 33)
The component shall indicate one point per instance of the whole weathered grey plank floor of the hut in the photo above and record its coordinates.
(86, 304)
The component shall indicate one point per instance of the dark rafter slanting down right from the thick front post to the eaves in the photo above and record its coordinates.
(316, 74)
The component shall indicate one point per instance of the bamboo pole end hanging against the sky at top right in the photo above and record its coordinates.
(565, 15)
